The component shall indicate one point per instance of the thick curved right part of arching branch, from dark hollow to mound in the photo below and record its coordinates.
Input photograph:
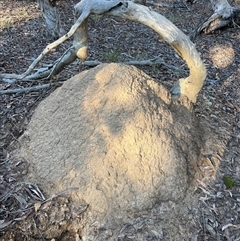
(189, 86)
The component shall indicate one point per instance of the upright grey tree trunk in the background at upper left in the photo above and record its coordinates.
(52, 18)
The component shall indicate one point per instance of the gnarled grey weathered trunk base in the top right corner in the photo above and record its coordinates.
(224, 14)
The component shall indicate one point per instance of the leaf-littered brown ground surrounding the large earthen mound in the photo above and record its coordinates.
(211, 211)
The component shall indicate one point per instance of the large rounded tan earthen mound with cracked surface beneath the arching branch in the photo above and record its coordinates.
(113, 133)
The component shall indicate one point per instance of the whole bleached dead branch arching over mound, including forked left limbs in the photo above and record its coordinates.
(189, 86)
